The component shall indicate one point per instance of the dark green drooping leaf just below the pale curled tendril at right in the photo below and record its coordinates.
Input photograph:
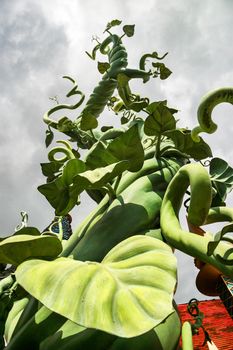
(184, 143)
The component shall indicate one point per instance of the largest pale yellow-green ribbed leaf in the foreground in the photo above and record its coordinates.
(127, 294)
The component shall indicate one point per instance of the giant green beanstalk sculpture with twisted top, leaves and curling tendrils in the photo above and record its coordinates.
(111, 284)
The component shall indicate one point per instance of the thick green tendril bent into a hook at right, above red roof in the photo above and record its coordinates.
(197, 177)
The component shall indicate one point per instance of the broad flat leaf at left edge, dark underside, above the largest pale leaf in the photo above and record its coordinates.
(16, 249)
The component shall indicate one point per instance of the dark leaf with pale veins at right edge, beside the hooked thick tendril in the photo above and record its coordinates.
(221, 175)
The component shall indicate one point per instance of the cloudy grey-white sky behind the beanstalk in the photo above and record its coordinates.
(42, 40)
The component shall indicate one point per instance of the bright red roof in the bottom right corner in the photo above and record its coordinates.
(217, 323)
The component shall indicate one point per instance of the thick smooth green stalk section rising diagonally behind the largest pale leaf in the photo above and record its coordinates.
(137, 208)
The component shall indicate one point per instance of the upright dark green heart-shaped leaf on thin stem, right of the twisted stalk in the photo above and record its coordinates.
(159, 120)
